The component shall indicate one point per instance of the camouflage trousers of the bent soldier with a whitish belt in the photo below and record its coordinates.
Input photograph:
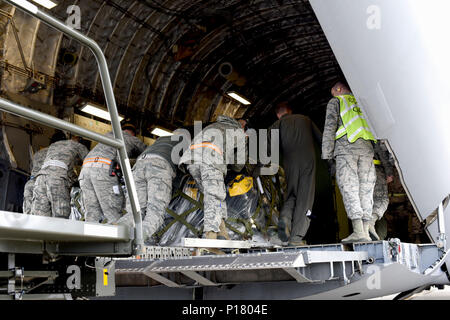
(51, 196)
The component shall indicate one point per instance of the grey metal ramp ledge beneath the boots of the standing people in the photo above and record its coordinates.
(309, 264)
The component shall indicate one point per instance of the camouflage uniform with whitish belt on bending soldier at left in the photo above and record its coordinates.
(51, 194)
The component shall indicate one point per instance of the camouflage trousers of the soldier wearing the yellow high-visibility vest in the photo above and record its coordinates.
(355, 176)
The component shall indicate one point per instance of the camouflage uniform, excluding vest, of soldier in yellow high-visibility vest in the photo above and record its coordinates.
(355, 170)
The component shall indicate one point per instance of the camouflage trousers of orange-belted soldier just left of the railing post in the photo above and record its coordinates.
(102, 195)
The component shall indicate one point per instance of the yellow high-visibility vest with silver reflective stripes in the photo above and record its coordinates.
(354, 124)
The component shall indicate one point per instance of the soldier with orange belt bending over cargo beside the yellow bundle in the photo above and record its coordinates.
(206, 160)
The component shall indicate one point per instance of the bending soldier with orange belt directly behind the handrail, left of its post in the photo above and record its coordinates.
(102, 193)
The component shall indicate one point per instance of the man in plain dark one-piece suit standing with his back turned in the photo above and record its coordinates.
(297, 134)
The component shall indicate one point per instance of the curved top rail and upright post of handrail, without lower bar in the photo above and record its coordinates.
(110, 102)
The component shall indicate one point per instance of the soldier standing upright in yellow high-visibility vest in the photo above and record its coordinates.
(347, 140)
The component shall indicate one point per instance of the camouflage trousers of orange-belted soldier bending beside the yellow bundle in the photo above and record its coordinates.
(211, 184)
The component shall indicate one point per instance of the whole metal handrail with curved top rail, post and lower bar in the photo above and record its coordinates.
(117, 142)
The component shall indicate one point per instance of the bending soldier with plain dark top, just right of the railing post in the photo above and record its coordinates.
(153, 174)
